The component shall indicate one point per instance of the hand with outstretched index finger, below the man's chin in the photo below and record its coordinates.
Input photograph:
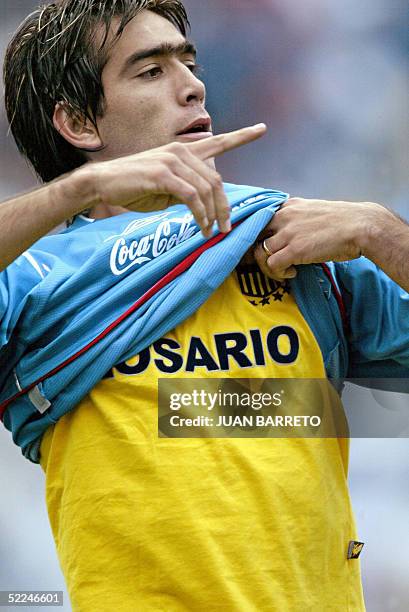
(177, 172)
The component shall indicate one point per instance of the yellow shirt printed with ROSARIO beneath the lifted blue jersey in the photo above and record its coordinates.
(148, 523)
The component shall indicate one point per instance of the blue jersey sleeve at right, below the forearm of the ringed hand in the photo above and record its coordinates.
(378, 314)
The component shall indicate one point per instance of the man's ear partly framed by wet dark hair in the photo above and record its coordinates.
(79, 132)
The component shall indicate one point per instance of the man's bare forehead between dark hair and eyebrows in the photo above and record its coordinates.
(146, 30)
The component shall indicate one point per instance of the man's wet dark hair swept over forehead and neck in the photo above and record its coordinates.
(54, 57)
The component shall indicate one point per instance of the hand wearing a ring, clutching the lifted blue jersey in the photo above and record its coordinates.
(313, 231)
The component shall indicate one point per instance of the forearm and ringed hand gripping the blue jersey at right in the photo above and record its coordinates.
(313, 231)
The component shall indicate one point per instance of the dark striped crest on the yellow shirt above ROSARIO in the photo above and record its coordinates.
(258, 288)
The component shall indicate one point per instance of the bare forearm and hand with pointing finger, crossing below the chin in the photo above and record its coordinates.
(151, 180)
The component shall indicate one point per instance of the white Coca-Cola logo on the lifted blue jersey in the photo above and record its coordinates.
(126, 254)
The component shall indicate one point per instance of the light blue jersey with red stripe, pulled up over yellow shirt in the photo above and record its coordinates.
(77, 303)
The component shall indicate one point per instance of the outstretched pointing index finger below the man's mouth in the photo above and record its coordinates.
(217, 145)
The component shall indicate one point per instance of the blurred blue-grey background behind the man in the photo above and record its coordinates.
(330, 79)
